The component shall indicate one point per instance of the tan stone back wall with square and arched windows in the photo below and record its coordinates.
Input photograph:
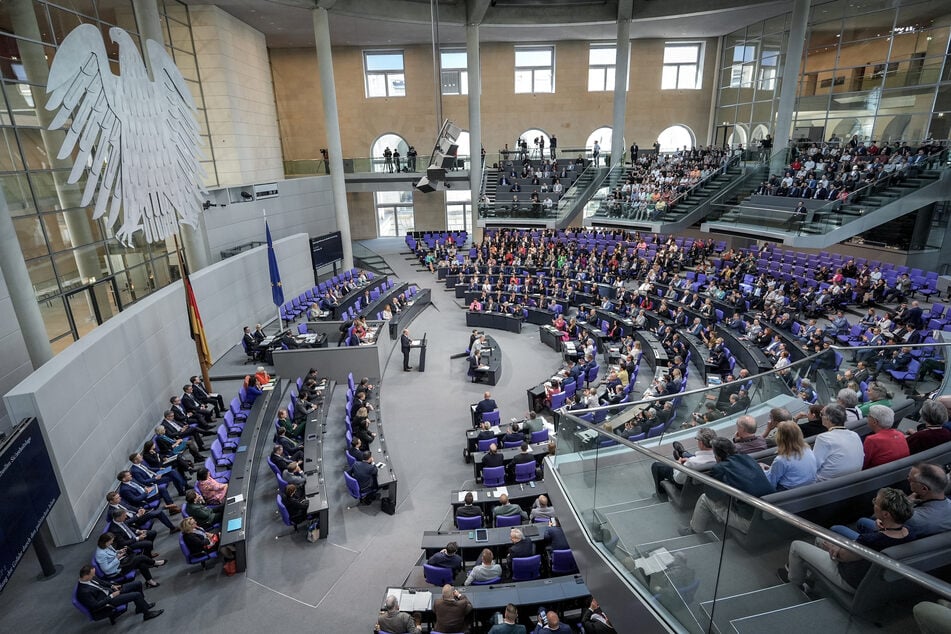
(571, 112)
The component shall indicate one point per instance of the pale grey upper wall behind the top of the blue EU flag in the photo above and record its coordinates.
(303, 205)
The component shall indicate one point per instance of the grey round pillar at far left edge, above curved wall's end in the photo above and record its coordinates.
(17, 278)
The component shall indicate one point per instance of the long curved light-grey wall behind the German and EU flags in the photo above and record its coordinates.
(99, 399)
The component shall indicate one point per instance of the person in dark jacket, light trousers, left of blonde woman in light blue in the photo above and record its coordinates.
(736, 470)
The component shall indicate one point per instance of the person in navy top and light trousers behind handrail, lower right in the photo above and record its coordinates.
(841, 567)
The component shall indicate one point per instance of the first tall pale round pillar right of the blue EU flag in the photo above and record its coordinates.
(332, 124)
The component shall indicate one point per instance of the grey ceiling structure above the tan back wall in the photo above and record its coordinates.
(288, 23)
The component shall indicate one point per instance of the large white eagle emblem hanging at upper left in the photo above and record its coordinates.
(137, 138)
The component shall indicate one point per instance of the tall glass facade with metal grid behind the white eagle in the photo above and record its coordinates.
(80, 274)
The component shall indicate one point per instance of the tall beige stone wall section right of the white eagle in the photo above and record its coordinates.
(239, 97)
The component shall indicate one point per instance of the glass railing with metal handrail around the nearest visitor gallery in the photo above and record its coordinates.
(712, 558)
